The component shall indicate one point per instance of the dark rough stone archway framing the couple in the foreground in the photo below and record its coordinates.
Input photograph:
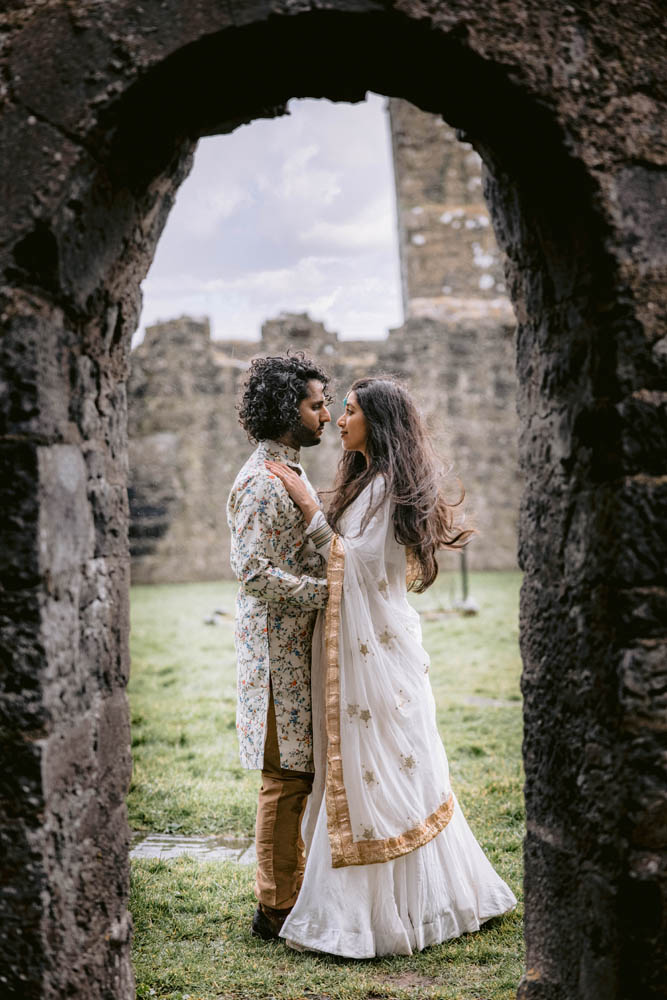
(101, 105)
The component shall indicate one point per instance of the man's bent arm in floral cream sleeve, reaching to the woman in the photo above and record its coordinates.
(259, 549)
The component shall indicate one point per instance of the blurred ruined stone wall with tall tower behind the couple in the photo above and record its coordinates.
(456, 352)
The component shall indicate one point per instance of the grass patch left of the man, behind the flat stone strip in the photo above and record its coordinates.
(187, 777)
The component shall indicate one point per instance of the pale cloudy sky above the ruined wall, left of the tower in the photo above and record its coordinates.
(293, 214)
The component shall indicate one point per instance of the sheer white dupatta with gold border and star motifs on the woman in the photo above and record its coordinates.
(387, 780)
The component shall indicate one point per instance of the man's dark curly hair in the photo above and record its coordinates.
(272, 391)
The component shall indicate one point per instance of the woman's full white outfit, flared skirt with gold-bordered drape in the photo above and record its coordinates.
(392, 865)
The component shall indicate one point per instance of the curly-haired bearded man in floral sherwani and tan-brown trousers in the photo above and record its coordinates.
(283, 408)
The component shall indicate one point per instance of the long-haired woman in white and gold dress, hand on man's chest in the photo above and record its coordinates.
(392, 865)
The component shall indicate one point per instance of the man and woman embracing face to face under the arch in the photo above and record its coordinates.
(389, 864)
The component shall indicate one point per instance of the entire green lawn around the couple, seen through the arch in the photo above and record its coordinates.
(191, 919)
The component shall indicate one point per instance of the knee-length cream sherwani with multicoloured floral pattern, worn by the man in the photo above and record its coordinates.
(282, 588)
